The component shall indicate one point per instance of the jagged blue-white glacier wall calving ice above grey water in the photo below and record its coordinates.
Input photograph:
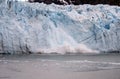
(40, 28)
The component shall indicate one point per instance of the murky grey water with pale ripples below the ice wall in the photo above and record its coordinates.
(55, 66)
